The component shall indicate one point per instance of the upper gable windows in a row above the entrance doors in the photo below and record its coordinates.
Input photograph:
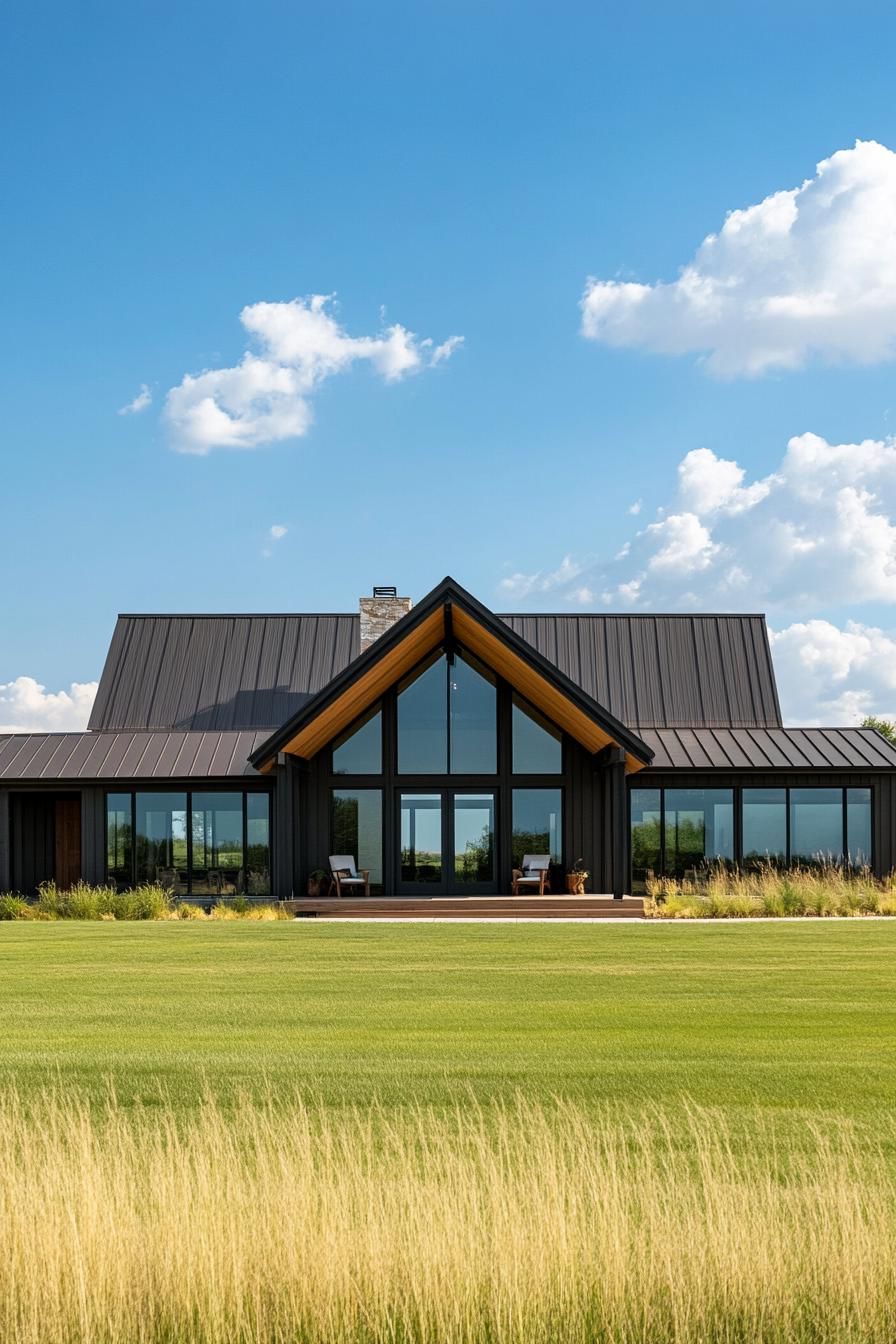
(448, 725)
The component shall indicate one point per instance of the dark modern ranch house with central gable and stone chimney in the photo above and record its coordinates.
(437, 745)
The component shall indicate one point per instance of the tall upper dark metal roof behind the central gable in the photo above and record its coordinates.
(230, 673)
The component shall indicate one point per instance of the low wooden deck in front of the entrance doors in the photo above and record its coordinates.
(468, 908)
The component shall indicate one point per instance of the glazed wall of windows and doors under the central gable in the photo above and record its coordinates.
(469, 775)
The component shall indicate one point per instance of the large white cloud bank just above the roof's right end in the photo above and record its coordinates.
(808, 542)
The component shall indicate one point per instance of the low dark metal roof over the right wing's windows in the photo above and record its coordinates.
(770, 749)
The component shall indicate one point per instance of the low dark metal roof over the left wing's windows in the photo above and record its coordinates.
(127, 756)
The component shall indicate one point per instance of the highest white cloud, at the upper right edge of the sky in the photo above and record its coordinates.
(809, 271)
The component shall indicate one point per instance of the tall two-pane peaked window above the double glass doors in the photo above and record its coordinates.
(448, 718)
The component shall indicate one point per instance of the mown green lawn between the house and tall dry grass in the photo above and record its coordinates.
(800, 1018)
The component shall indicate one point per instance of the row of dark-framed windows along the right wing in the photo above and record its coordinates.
(675, 831)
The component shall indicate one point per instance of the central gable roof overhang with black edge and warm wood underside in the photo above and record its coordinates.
(451, 615)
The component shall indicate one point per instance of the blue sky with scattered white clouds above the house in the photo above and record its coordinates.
(459, 173)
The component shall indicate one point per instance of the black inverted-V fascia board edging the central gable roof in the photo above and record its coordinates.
(451, 592)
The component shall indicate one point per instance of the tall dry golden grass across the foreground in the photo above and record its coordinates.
(525, 1224)
